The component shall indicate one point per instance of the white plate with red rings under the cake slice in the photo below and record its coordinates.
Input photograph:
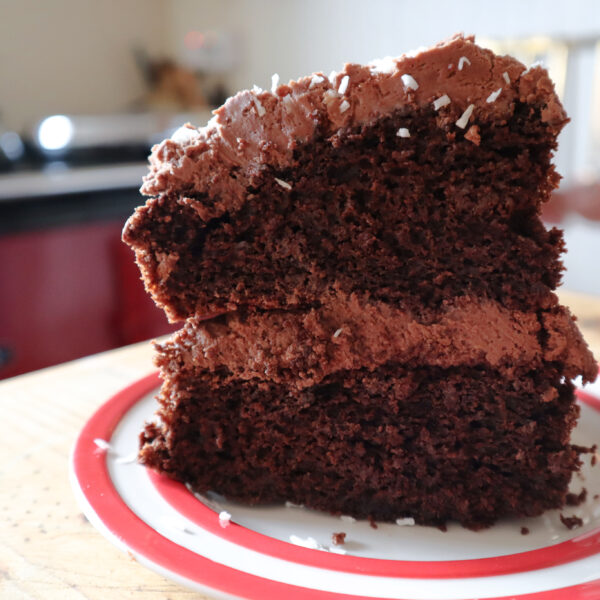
(228, 550)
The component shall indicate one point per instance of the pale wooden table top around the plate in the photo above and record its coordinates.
(48, 550)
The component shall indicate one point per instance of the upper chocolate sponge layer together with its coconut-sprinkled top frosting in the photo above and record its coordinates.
(413, 191)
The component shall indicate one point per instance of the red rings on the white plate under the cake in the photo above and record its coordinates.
(94, 483)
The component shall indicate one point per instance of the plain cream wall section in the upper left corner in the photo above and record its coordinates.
(74, 55)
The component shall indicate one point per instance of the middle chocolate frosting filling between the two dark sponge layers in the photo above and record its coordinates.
(301, 348)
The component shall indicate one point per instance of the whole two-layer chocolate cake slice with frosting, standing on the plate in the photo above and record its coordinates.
(370, 326)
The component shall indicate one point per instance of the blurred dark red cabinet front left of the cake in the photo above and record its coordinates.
(67, 292)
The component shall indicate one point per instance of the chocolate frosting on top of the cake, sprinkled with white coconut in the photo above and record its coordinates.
(212, 167)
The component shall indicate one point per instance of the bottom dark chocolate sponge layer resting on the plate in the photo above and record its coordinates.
(435, 444)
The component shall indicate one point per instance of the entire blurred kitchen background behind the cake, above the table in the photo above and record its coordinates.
(87, 86)
